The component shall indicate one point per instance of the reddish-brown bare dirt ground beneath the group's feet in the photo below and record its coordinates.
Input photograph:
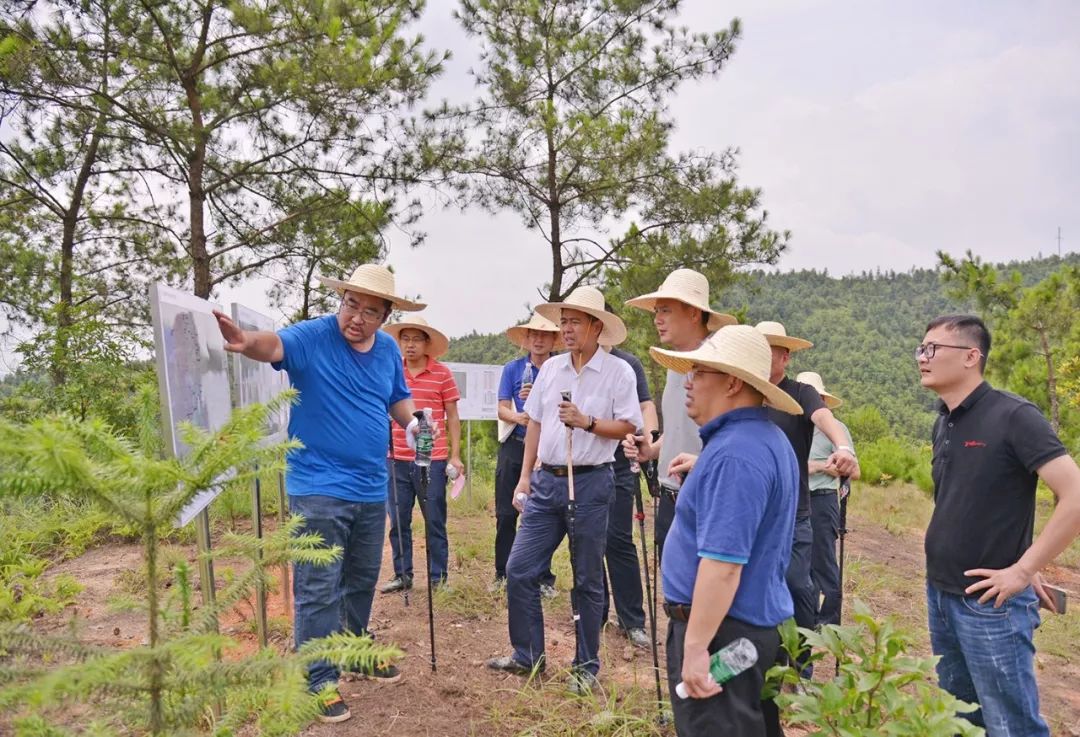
(465, 699)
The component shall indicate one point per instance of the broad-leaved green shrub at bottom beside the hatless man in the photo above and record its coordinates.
(881, 690)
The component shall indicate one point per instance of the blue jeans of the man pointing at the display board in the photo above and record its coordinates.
(331, 598)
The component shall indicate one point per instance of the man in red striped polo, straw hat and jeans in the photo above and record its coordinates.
(433, 387)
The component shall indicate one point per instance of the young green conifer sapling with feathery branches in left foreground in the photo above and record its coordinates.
(185, 679)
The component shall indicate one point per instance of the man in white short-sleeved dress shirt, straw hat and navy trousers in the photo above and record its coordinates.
(603, 409)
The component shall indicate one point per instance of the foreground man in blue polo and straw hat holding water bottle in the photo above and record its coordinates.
(728, 547)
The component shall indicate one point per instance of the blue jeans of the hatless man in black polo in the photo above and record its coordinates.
(988, 658)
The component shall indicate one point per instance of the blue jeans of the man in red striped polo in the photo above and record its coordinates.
(409, 490)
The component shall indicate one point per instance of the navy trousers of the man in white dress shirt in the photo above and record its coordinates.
(544, 528)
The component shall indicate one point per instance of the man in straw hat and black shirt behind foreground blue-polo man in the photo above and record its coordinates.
(800, 432)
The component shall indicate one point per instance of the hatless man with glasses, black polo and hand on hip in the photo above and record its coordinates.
(983, 586)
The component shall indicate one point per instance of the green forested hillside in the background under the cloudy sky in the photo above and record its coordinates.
(865, 329)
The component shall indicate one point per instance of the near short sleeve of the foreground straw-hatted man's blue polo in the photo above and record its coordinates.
(732, 504)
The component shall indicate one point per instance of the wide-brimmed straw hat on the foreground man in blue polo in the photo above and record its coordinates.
(739, 351)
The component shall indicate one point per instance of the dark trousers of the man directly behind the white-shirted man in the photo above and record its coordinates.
(624, 570)
